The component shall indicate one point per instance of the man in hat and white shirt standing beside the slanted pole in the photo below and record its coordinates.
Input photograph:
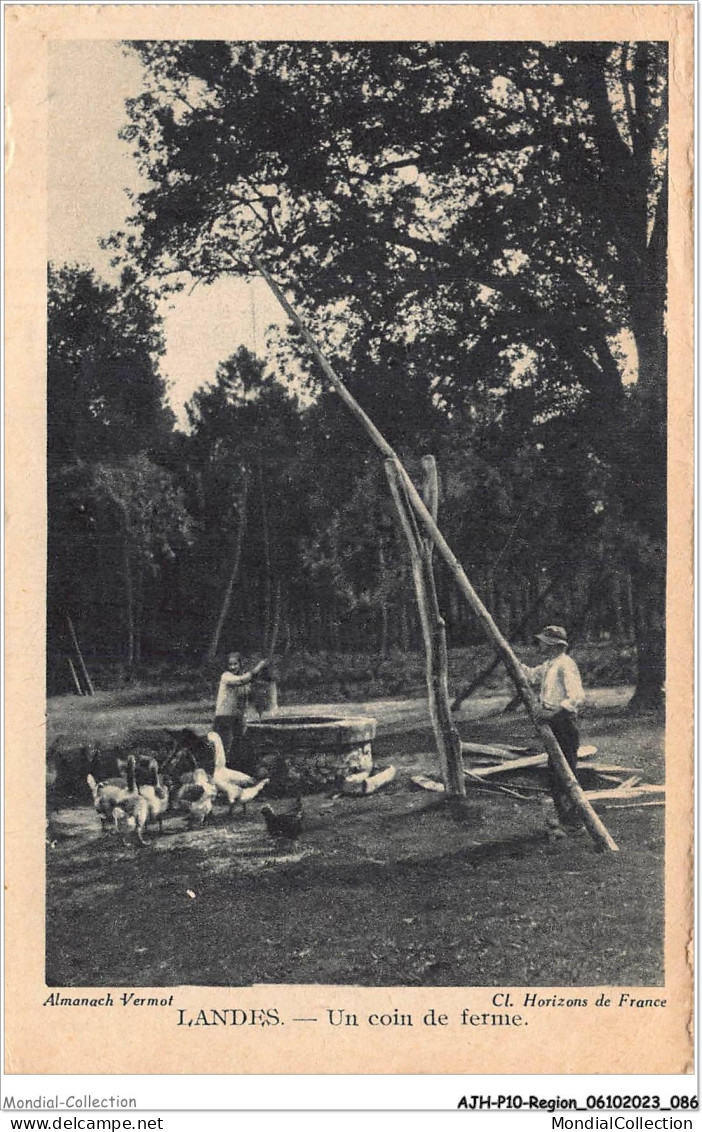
(561, 697)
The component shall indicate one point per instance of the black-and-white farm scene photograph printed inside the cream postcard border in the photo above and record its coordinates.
(357, 410)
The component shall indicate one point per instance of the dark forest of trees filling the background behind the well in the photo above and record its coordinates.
(477, 235)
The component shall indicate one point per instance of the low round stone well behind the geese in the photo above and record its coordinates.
(303, 754)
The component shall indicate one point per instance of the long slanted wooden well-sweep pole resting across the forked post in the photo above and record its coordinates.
(570, 784)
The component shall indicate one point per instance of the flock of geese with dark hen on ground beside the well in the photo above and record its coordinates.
(145, 794)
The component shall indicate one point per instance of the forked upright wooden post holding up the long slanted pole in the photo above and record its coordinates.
(433, 629)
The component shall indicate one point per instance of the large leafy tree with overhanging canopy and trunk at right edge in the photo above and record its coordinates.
(490, 216)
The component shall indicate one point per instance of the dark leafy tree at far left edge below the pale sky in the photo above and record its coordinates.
(106, 411)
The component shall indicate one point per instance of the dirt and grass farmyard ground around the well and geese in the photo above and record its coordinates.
(390, 890)
